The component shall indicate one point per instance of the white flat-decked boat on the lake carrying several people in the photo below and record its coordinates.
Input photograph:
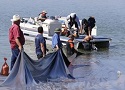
(29, 27)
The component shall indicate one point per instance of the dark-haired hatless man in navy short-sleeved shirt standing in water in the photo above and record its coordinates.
(40, 44)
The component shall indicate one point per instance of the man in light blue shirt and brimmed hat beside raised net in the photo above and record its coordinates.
(56, 43)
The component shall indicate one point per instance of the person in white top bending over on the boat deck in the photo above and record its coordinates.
(73, 19)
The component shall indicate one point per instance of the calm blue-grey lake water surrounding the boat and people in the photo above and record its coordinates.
(101, 74)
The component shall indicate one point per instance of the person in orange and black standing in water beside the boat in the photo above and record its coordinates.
(70, 45)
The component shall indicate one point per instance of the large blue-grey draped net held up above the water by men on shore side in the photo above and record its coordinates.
(27, 72)
